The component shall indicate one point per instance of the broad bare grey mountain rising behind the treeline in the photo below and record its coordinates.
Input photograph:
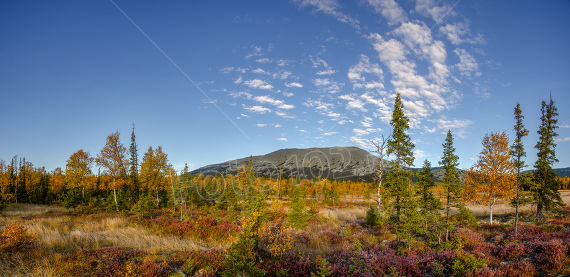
(348, 163)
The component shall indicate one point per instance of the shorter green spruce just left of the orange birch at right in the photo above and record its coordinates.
(451, 182)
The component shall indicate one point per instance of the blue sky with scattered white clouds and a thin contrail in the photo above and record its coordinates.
(211, 81)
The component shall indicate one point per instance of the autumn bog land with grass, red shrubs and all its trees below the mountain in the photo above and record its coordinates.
(146, 219)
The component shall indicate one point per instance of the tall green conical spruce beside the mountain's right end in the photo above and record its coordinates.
(401, 146)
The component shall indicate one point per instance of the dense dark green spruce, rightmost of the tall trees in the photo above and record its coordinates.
(545, 188)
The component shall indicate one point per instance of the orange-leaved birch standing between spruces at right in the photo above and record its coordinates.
(493, 177)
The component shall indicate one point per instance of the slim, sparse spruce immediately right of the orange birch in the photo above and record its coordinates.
(517, 151)
